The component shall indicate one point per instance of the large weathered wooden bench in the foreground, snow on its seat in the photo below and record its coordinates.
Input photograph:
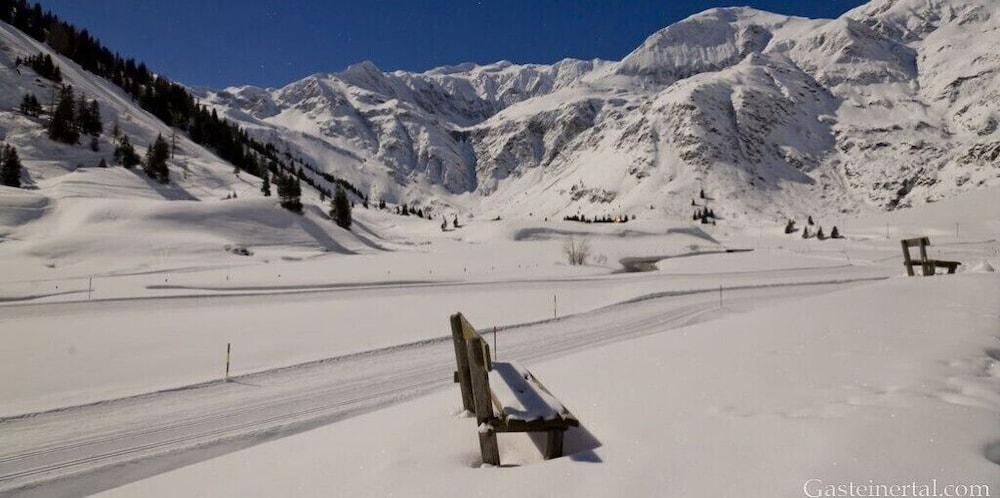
(522, 403)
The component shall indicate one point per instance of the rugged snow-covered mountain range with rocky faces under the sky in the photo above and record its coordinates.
(892, 104)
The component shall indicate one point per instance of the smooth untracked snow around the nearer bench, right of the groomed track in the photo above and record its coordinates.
(838, 387)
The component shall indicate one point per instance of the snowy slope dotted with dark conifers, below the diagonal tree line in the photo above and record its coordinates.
(70, 211)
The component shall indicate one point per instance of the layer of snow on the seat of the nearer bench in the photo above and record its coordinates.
(520, 397)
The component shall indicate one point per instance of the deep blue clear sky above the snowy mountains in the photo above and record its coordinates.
(272, 42)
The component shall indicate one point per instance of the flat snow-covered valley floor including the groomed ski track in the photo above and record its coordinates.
(821, 361)
